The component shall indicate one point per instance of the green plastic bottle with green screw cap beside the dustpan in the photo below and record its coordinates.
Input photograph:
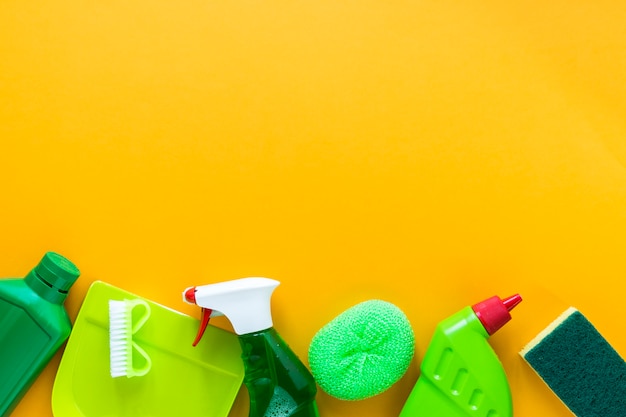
(33, 324)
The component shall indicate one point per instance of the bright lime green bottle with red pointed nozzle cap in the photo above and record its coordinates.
(461, 375)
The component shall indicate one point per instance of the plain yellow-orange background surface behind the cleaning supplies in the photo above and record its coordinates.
(429, 153)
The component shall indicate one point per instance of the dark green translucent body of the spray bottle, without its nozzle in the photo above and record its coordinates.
(278, 383)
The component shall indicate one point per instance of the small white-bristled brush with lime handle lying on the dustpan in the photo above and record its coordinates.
(121, 330)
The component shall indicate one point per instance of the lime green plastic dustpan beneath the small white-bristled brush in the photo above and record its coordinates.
(183, 380)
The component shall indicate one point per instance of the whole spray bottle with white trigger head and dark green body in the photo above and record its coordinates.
(279, 385)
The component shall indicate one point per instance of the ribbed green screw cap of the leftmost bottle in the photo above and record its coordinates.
(53, 277)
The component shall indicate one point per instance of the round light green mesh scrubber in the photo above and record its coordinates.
(363, 351)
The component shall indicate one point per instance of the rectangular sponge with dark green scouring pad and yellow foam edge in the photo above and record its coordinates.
(579, 366)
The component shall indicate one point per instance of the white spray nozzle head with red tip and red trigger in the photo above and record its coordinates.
(245, 302)
